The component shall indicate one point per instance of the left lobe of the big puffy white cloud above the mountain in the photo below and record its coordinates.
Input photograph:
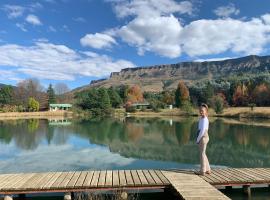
(156, 34)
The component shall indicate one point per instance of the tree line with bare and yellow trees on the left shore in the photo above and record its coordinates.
(29, 95)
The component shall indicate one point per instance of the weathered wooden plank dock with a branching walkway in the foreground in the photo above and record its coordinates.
(185, 183)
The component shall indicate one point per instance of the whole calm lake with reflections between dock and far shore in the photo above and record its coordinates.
(39, 145)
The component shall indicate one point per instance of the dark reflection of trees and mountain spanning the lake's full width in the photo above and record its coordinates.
(235, 145)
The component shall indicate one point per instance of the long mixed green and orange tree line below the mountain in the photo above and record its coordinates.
(218, 94)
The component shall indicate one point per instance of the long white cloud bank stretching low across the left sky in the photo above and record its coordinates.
(58, 62)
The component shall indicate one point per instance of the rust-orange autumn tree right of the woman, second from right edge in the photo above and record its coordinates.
(240, 96)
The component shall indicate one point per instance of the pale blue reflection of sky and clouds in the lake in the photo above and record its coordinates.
(75, 154)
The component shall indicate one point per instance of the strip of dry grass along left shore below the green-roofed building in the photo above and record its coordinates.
(44, 114)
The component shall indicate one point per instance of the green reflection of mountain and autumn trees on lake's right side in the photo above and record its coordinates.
(231, 144)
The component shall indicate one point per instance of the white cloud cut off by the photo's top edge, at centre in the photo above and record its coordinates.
(146, 8)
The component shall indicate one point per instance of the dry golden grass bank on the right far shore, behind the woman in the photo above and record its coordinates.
(231, 112)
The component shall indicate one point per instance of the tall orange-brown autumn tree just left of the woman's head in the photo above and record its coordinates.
(181, 94)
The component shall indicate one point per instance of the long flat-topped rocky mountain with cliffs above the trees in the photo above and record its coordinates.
(159, 77)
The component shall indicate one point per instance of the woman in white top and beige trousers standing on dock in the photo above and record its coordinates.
(203, 139)
